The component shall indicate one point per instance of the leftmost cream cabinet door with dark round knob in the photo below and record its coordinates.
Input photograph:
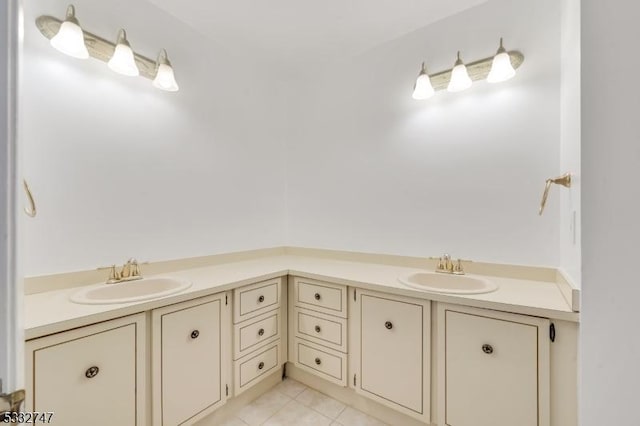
(91, 375)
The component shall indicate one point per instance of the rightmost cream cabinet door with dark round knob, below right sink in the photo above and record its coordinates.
(493, 368)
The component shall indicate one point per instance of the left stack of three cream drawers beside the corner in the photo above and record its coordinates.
(257, 331)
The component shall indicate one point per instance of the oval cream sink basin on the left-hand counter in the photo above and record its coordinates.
(130, 291)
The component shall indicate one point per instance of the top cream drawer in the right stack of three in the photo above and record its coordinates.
(320, 296)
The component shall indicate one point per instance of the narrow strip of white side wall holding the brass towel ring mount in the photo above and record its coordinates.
(570, 211)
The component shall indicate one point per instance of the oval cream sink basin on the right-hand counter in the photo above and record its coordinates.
(441, 283)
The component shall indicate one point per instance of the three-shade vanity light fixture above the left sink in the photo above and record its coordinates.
(120, 57)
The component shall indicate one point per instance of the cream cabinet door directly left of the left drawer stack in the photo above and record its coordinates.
(190, 342)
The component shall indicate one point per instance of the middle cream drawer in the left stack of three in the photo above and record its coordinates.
(254, 333)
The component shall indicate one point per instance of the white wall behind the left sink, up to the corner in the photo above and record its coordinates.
(121, 169)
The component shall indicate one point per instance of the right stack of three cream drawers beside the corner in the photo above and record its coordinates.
(319, 337)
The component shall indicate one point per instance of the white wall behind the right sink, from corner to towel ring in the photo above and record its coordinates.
(370, 169)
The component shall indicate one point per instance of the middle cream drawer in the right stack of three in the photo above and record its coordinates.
(326, 330)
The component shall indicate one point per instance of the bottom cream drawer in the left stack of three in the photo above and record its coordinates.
(256, 366)
